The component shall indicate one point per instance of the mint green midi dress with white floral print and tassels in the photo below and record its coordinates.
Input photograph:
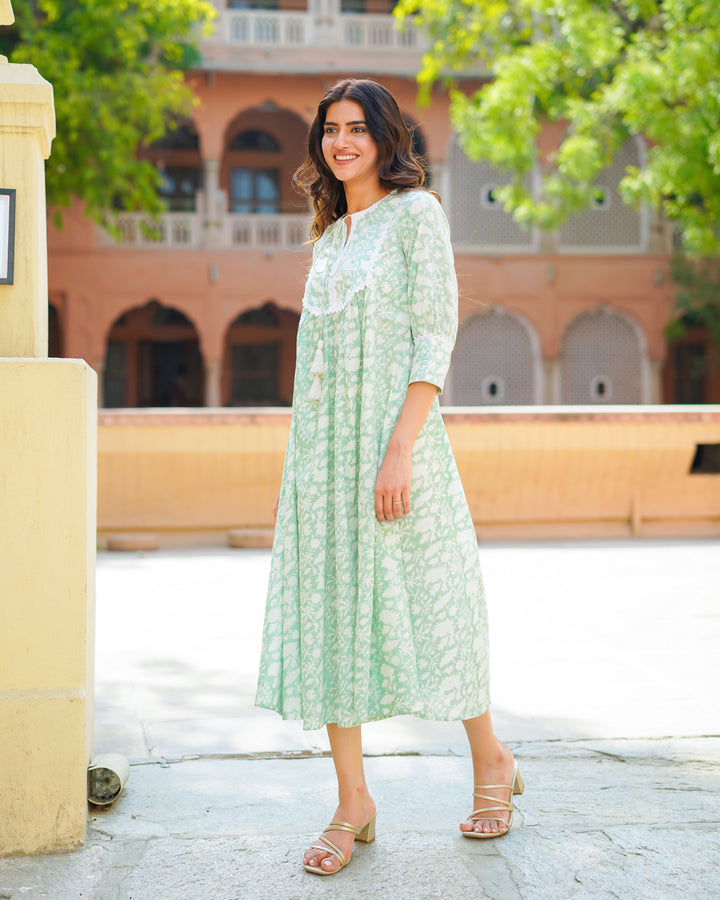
(366, 621)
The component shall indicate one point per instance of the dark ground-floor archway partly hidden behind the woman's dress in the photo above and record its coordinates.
(260, 357)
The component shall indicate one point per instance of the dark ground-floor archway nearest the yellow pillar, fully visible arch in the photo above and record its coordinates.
(153, 359)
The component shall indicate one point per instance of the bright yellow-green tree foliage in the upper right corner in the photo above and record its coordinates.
(607, 70)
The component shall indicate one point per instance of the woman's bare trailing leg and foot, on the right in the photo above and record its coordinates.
(492, 764)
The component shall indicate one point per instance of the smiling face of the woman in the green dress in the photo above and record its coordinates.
(348, 149)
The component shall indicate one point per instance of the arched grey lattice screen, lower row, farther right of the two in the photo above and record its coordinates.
(602, 359)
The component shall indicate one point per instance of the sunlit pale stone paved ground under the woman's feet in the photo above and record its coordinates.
(606, 668)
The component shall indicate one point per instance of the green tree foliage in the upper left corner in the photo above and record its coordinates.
(117, 70)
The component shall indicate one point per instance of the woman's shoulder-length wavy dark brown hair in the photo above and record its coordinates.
(399, 169)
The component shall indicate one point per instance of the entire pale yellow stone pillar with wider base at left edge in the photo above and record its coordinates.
(48, 428)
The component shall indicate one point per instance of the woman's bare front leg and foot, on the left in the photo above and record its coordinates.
(355, 803)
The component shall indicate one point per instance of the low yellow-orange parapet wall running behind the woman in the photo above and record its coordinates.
(531, 472)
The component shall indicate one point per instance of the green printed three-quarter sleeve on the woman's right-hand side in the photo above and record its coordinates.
(432, 288)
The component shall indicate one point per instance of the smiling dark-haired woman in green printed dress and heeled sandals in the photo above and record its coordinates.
(375, 605)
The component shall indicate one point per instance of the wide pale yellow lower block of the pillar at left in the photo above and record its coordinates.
(47, 530)
